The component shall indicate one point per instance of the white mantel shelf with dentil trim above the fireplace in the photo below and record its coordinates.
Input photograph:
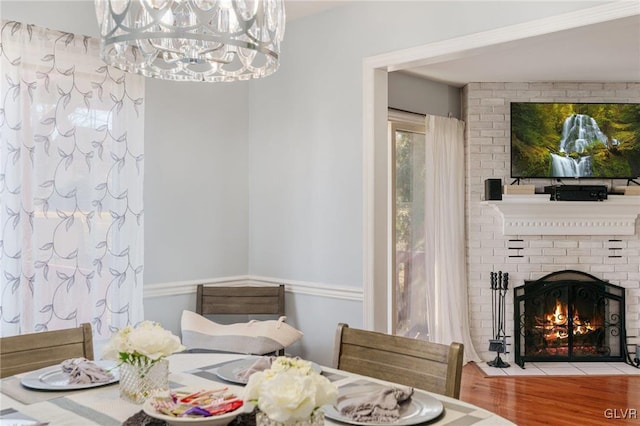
(538, 215)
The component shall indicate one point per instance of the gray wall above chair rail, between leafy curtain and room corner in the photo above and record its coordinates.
(196, 181)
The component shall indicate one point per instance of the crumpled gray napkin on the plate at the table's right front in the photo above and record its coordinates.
(381, 406)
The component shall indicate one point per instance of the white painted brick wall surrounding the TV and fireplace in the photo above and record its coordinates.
(486, 113)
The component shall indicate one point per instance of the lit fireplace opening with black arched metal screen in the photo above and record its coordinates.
(569, 316)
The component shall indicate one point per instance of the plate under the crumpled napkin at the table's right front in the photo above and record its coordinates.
(422, 407)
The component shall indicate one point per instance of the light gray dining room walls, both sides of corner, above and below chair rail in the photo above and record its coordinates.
(265, 178)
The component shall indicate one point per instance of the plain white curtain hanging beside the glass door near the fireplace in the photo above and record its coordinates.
(447, 302)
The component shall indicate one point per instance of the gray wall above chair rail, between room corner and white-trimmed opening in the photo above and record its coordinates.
(306, 151)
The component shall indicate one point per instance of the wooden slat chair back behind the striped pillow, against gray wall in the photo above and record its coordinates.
(240, 300)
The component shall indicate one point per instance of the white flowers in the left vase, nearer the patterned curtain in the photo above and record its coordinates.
(144, 344)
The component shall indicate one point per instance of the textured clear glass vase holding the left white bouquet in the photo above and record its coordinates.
(142, 380)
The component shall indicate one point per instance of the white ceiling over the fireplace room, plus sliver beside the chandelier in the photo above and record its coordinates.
(608, 51)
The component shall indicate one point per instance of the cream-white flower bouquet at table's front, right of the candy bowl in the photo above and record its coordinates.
(291, 390)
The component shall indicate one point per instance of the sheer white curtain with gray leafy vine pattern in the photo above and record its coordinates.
(71, 174)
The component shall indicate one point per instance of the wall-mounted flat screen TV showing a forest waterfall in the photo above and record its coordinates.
(575, 140)
